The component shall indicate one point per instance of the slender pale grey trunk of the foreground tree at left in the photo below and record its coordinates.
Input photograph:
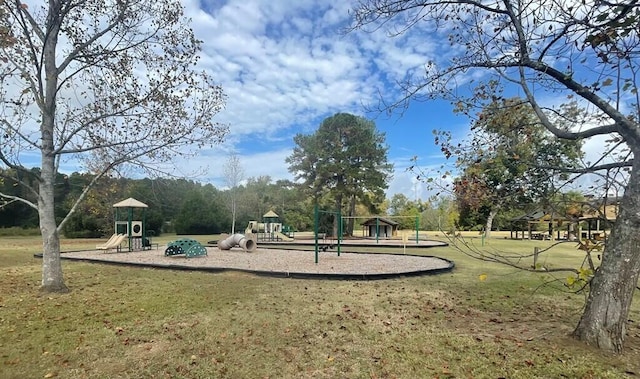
(52, 278)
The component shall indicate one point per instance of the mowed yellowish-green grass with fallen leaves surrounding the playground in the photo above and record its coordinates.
(121, 322)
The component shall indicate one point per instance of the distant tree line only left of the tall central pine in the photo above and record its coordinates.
(175, 205)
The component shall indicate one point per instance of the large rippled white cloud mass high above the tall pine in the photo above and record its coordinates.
(287, 64)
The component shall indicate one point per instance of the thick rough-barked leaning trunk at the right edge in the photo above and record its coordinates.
(603, 322)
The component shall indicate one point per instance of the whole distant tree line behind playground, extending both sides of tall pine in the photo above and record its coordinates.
(189, 207)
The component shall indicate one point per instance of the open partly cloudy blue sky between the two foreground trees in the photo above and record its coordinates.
(286, 66)
